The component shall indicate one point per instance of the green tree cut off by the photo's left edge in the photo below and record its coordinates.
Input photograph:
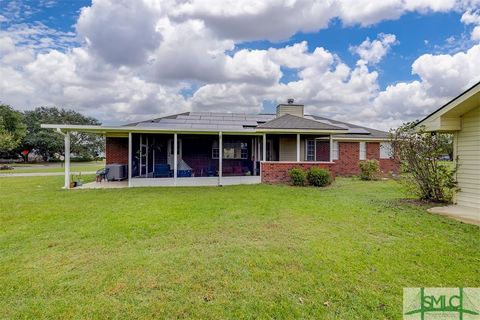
(12, 128)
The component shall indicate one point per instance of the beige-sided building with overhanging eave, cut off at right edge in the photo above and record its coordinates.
(461, 116)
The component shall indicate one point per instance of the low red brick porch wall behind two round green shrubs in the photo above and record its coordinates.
(277, 172)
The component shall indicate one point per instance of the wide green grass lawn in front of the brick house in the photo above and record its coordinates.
(344, 252)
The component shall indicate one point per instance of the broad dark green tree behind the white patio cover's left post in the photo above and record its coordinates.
(46, 142)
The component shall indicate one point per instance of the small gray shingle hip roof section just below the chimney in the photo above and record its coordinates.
(288, 121)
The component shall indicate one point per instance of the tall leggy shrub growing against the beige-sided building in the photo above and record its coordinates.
(418, 152)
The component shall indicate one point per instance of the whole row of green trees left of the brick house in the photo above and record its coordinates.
(21, 131)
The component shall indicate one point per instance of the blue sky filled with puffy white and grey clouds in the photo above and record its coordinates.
(143, 58)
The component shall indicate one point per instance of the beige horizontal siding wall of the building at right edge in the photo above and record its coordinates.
(468, 152)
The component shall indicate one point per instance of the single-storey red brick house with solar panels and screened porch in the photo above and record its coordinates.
(201, 148)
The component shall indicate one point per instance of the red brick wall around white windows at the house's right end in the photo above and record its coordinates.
(349, 155)
